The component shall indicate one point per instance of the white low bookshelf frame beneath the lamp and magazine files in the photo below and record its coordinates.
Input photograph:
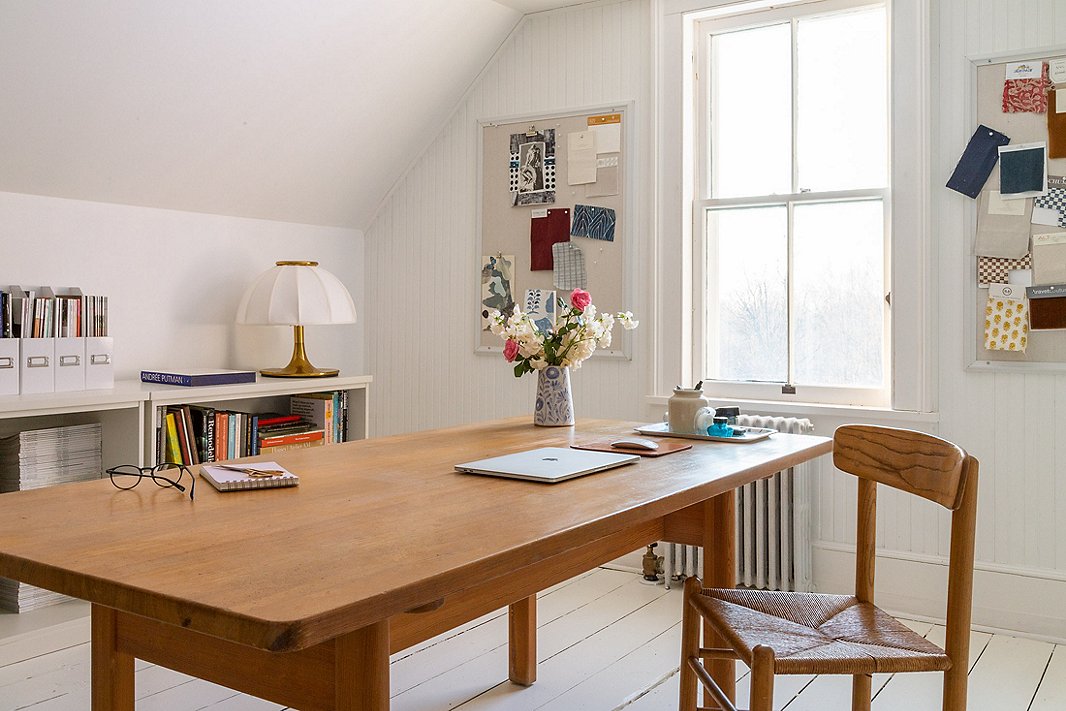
(128, 416)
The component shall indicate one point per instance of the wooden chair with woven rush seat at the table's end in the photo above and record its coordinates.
(776, 633)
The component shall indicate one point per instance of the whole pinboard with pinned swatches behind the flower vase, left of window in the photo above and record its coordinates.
(540, 175)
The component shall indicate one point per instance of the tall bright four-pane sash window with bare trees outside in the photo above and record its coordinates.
(792, 204)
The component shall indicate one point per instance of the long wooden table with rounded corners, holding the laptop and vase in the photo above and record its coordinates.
(299, 595)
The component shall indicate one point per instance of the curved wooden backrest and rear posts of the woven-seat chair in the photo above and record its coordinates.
(929, 467)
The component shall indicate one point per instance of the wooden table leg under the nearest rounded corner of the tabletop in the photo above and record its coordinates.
(362, 664)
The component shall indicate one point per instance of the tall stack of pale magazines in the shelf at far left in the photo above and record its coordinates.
(45, 458)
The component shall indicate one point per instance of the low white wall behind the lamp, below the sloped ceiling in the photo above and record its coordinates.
(174, 280)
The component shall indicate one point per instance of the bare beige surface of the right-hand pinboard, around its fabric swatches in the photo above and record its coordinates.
(1046, 350)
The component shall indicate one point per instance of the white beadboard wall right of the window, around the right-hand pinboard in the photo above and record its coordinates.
(1015, 425)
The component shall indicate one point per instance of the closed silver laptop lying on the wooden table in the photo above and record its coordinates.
(548, 464)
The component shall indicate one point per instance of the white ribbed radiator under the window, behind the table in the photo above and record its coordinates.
(773, 525)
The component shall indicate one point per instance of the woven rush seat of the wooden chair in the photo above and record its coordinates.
(818, 634)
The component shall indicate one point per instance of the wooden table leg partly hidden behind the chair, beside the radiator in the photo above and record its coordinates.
(720, 571)
